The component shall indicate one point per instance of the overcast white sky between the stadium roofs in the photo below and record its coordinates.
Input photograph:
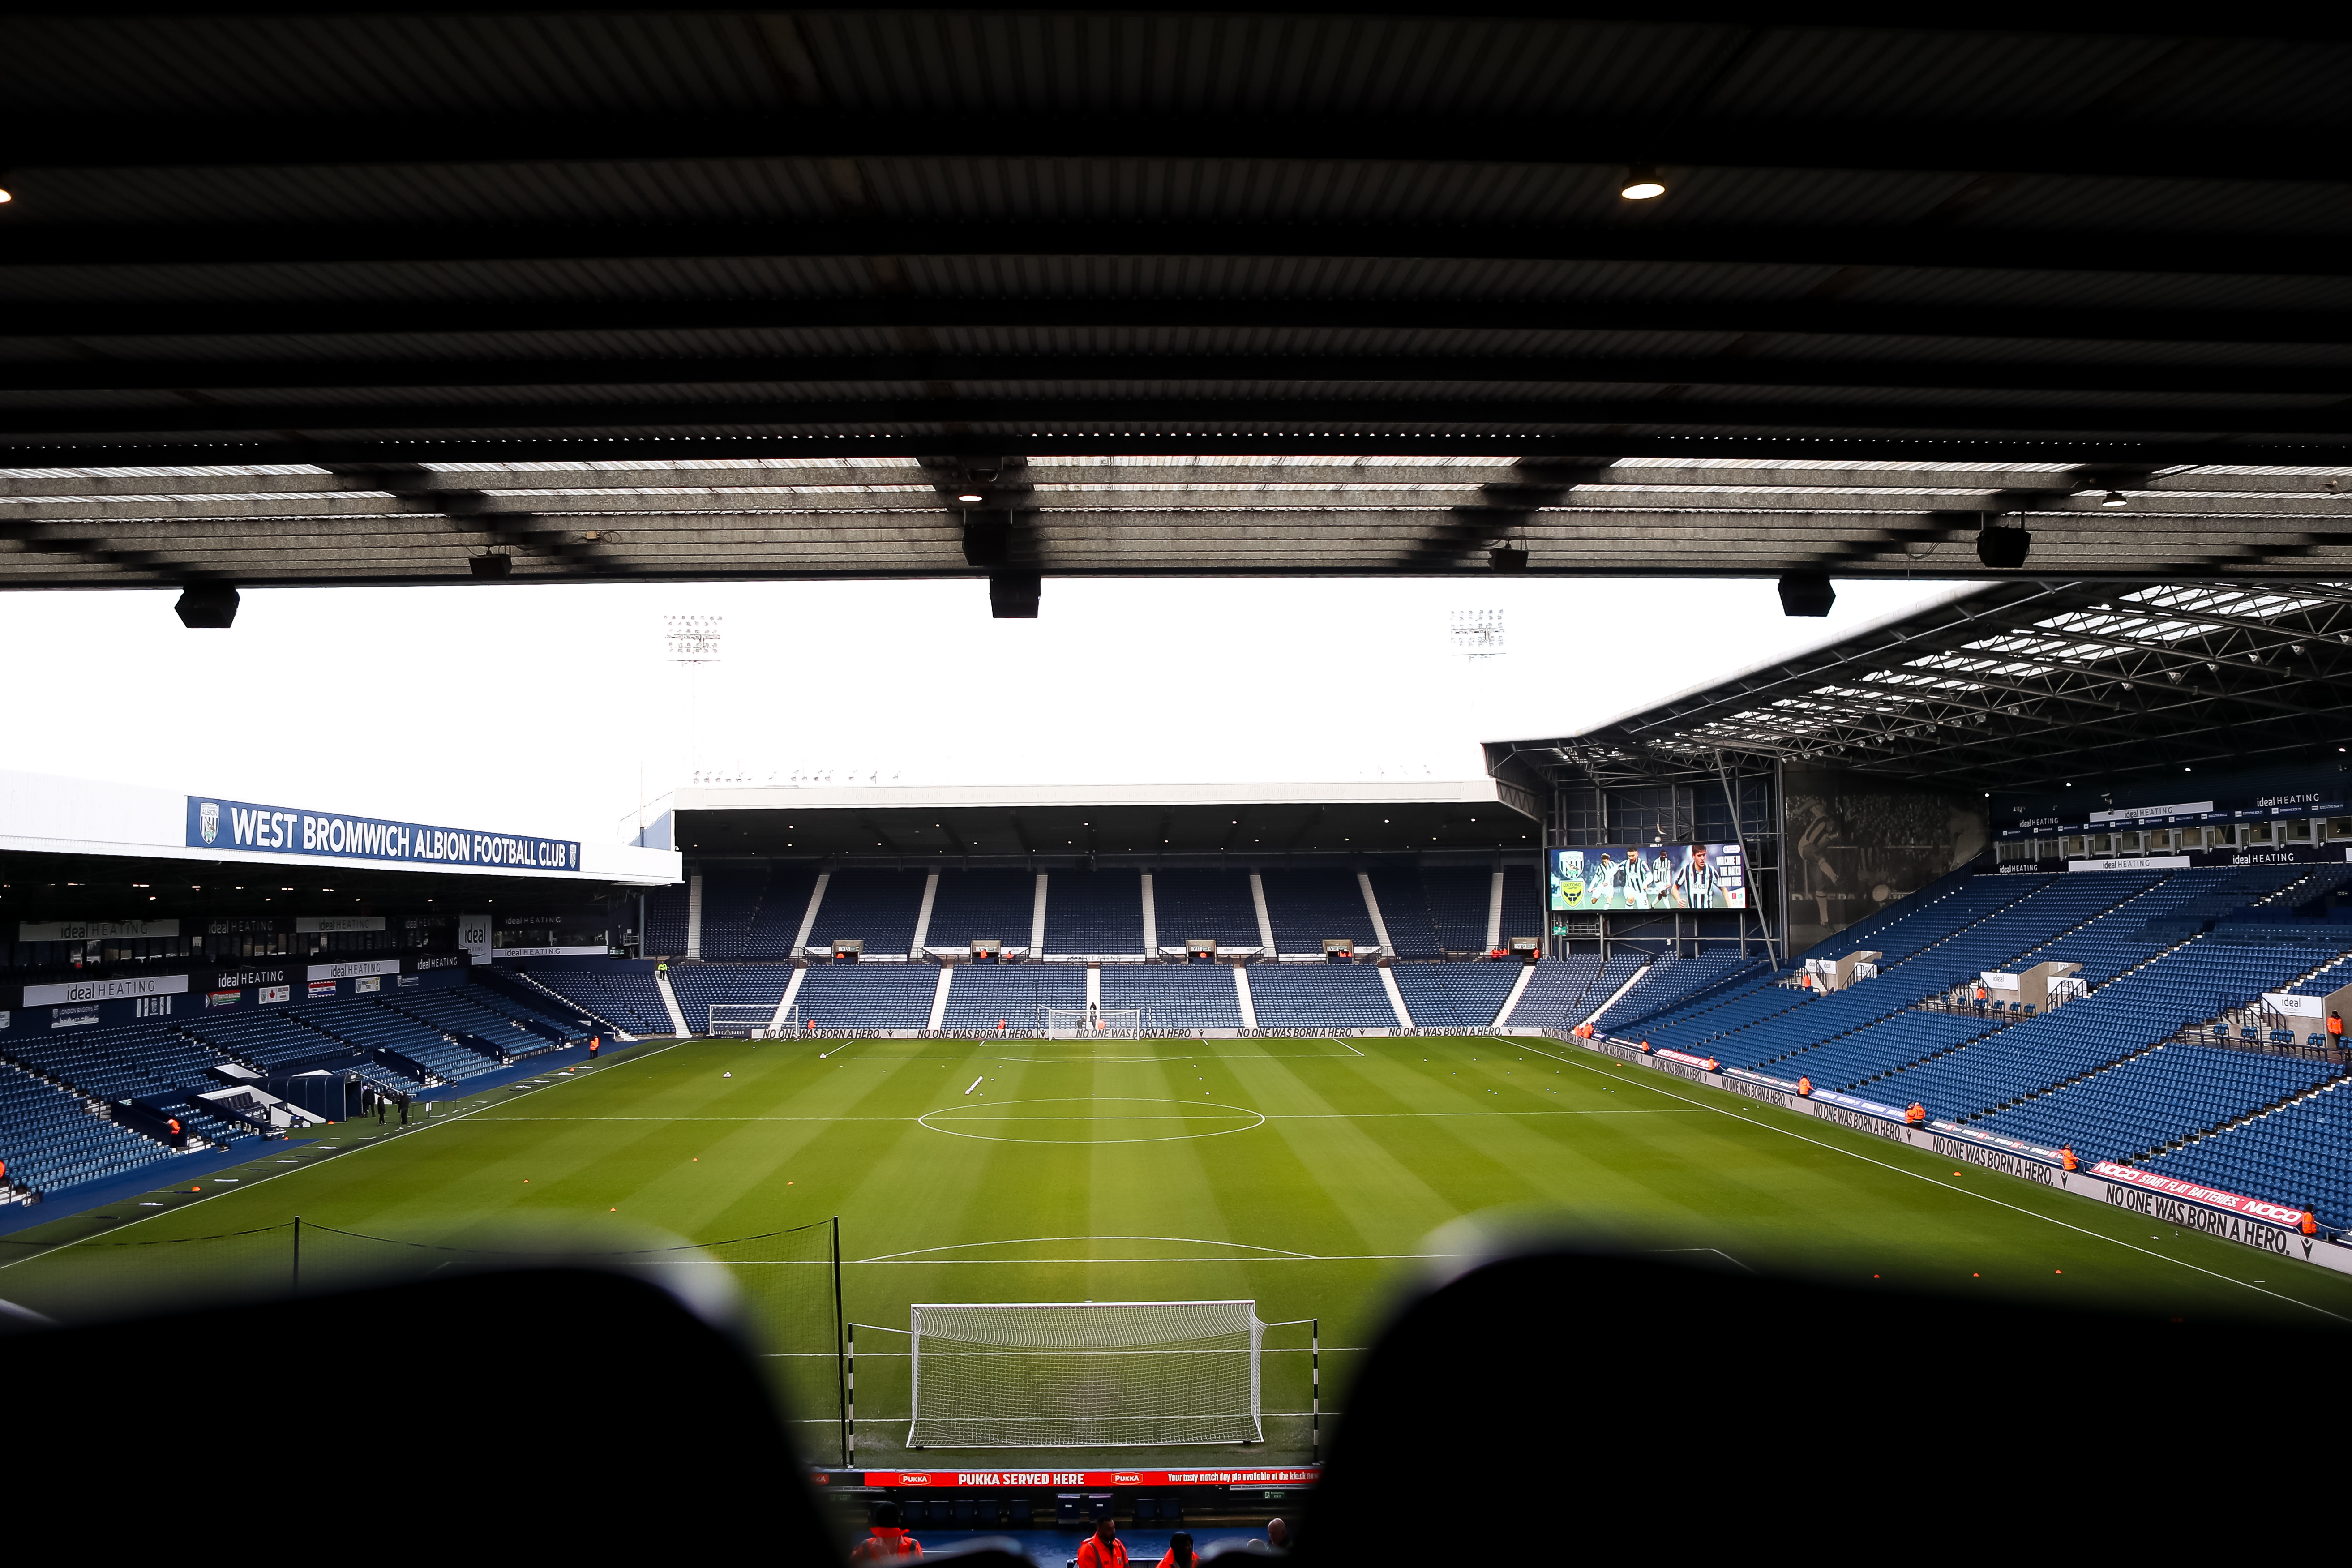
(537, 709)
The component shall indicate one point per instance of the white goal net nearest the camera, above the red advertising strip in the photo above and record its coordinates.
(1085, 1374)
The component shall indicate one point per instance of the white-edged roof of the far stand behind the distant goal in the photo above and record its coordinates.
(1125, 822)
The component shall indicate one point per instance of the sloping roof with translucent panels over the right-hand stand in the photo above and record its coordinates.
(2005, 688)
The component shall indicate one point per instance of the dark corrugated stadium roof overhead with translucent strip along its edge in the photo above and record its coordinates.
(302, 295)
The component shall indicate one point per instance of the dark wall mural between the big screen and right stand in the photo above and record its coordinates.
(1857, 845)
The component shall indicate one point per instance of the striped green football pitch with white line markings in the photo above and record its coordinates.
(1302, 1174)
